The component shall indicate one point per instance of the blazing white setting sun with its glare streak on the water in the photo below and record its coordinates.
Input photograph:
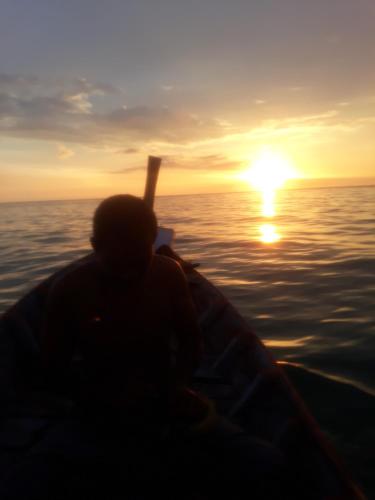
(267, 174)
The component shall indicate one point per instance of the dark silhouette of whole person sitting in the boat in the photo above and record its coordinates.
(129, 314)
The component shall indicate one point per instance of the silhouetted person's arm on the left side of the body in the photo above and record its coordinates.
(58, 335)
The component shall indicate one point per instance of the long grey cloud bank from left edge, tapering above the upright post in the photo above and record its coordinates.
(64, 111)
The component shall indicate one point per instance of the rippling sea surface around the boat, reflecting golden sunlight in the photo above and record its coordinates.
(304, 279)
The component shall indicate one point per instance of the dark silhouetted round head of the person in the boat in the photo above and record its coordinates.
(124, 230)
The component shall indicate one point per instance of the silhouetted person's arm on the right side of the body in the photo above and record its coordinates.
(189, 338)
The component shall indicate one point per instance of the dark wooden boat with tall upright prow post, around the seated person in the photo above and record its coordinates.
(238, 373)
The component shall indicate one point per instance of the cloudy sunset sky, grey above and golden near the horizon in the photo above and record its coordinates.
(89, 89)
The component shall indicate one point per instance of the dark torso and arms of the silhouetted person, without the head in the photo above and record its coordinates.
(123, 331)
